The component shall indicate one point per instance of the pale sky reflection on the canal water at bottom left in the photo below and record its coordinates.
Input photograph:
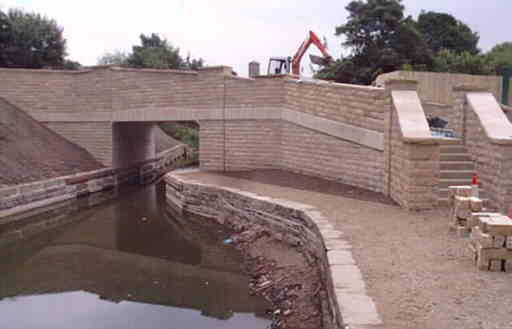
(82, 310)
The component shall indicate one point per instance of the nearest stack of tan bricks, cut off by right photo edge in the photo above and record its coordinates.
(491, 242)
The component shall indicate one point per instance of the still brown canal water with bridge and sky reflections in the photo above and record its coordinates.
(122, 260)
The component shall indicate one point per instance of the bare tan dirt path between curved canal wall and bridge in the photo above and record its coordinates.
(418, 273)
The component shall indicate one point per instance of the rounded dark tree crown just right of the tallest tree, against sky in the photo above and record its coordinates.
(443, 31)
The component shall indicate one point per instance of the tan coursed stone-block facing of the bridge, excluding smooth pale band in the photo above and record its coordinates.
(233, 144)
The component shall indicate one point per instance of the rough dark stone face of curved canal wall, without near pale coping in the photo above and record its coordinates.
(295, 226)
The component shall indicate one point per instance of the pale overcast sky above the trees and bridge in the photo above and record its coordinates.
(235, 32)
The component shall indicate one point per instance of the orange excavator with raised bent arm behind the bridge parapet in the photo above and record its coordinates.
(282, 65)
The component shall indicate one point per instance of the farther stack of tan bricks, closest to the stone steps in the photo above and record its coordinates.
(464, 209)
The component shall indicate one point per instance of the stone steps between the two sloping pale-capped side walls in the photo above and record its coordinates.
(456, 168)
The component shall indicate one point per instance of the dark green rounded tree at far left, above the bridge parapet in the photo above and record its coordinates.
(30, 40)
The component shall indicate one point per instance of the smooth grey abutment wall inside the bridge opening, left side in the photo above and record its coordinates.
(133, 143)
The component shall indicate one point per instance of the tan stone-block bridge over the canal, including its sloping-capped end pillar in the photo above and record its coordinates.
(374, 138)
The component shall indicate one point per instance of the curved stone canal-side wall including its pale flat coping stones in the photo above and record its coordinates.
(298, 225)
